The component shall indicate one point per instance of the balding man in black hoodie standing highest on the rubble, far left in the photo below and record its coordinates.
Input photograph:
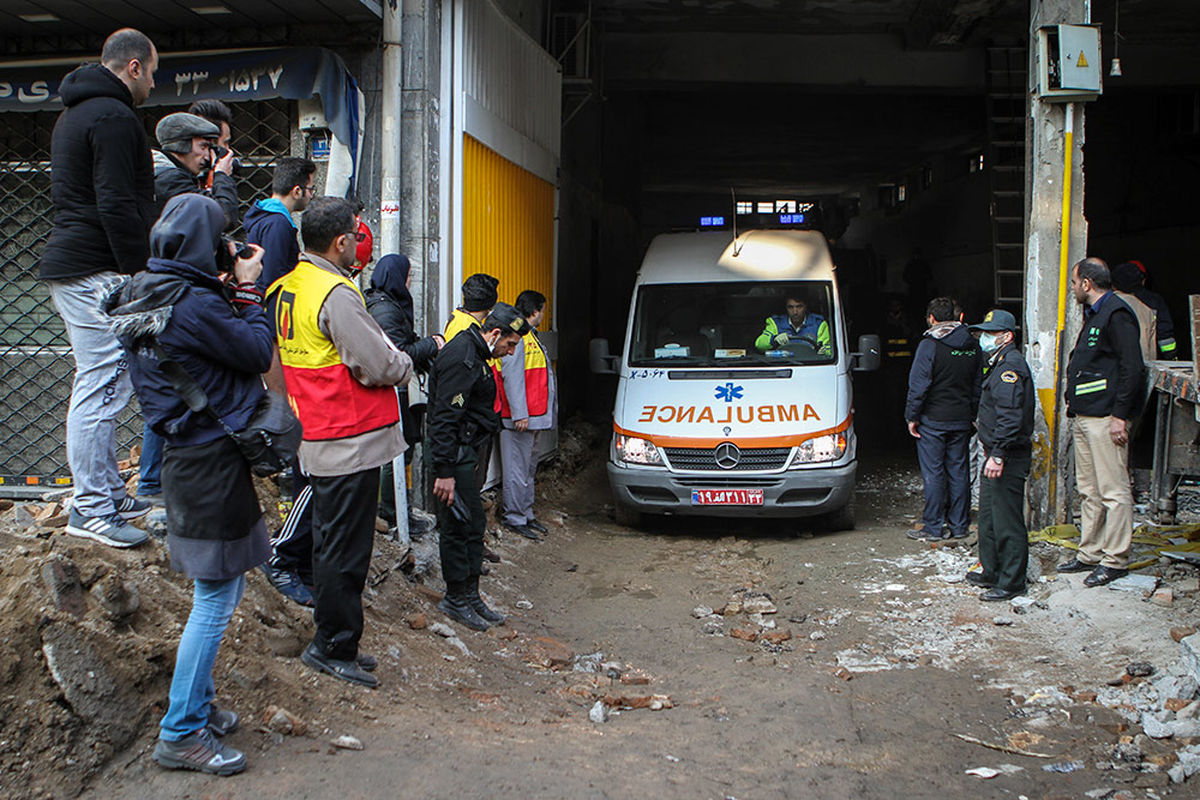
(103, 188)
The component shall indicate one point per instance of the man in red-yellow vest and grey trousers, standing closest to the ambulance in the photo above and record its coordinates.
(529, 406)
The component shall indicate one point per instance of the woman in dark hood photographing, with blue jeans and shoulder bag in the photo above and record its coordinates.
(181, 309)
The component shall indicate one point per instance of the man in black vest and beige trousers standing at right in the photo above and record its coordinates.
(1105, 383)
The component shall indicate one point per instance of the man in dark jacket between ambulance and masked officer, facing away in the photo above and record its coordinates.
(944, 395)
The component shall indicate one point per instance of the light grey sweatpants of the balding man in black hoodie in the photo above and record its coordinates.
(101, 392)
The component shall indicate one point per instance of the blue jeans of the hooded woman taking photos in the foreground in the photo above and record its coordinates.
(191, 688)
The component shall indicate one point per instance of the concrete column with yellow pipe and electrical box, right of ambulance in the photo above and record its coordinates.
(1047, 344)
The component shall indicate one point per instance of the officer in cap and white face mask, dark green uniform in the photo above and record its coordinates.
(1006, 428)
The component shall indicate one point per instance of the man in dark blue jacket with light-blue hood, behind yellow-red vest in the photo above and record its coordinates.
(269, 222)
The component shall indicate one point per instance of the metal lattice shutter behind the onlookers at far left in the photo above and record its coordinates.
(37, 368)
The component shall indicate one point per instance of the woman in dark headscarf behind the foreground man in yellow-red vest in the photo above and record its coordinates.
(391, 304)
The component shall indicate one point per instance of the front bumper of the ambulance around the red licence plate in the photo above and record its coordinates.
(793, 494)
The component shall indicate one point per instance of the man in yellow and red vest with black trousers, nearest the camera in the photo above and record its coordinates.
(340, 371)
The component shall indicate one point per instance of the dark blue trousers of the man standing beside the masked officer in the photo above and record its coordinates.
(946, 472)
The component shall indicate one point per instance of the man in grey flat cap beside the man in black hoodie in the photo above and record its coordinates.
(185, 159)
